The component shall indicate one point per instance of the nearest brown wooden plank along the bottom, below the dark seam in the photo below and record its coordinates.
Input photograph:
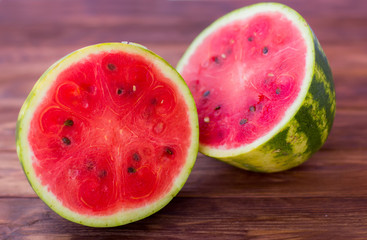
(198, 218)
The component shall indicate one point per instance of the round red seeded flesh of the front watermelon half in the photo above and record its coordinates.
(106, 137)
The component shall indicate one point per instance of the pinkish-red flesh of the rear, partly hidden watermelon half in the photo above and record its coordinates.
(244, 76)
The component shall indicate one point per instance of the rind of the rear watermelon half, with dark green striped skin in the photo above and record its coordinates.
(308, 121)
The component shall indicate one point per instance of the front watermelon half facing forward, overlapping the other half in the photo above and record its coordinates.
(108, 135)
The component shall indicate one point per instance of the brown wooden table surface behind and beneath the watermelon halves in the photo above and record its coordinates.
(325, 198)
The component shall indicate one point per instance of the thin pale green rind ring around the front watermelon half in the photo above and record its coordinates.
(39, 91)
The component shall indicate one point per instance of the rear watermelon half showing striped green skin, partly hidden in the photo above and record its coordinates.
(262, 86)
